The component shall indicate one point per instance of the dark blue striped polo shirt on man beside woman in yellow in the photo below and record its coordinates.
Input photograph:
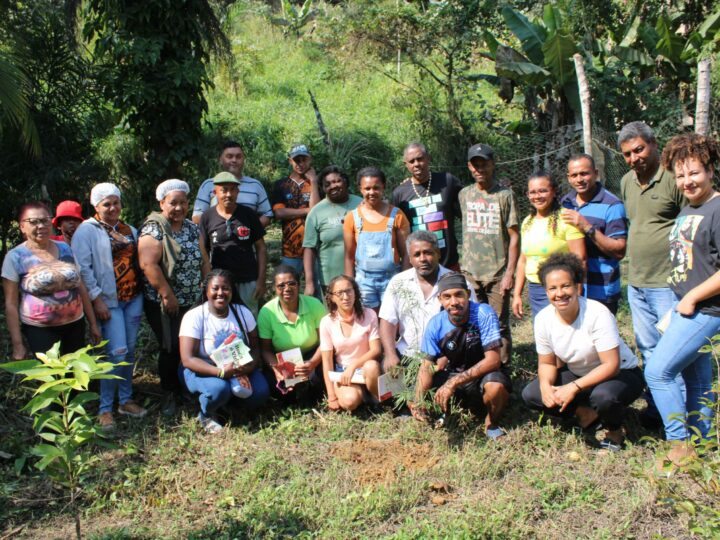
(607, 214)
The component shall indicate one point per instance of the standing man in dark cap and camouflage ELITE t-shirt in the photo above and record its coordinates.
(491, 241)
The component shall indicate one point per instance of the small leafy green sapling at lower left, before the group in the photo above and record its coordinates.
(60, 419)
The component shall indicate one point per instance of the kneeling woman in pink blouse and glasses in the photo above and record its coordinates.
(350, 344)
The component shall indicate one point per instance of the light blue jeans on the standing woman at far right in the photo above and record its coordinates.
(677, 353)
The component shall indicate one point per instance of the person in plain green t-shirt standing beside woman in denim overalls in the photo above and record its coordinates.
(323, 238)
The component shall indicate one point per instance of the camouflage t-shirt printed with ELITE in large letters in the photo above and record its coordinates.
(486, 217)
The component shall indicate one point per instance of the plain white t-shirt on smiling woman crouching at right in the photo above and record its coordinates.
(577, 344)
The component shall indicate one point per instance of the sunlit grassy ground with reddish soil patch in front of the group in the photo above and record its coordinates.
(307, 472)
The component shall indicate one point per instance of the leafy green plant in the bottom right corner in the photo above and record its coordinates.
(703, 470)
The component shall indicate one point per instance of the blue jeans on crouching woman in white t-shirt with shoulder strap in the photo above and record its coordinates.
(215, 392)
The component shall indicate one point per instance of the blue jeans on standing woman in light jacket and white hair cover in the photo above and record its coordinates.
(121, 332)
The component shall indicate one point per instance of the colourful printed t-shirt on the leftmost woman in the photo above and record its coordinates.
(49, 288)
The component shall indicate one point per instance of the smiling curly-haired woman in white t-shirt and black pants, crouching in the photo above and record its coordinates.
(599, 375)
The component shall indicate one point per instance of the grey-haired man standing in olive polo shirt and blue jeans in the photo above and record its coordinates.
(652, 202)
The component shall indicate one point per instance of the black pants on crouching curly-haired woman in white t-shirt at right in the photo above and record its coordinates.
(608, 398)
